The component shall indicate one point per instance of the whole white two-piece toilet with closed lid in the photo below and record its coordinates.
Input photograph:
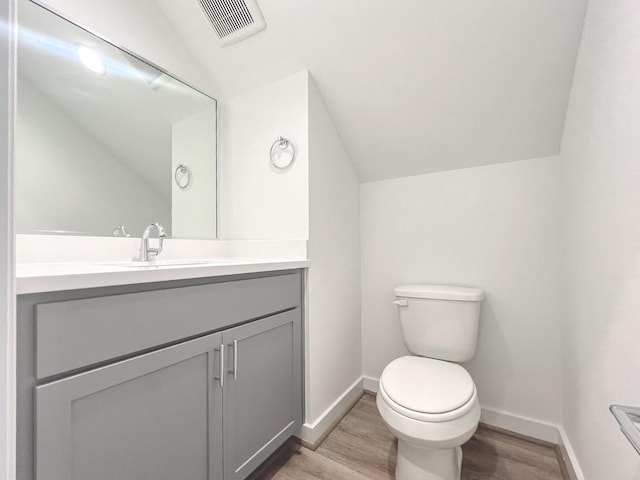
(427, 400)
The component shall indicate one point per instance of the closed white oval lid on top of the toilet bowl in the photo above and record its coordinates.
(427, 385)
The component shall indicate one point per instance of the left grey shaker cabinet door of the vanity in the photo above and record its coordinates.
(153, 417)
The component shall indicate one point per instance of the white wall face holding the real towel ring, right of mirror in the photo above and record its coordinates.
(256, 200)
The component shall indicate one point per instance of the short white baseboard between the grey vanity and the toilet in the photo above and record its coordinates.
(312, 434)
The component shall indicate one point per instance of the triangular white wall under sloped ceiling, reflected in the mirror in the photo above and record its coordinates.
(93, 190)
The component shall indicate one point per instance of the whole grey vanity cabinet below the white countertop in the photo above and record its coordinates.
(196, 378)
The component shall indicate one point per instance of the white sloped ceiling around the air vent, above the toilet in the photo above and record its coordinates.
(413, 86)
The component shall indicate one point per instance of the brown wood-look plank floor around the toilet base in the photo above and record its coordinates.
(361, 448)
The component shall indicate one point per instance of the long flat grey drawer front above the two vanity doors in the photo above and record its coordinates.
(78, 333)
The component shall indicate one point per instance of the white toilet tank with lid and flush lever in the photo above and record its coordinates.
(439, 321)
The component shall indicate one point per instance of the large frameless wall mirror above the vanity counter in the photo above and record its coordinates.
(104, 139)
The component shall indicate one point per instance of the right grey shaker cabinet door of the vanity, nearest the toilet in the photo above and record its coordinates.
(262, 391)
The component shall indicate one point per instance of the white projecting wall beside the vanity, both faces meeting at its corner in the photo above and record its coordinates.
(317, 198)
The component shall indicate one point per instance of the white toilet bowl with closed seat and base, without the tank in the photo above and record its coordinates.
(432, 407)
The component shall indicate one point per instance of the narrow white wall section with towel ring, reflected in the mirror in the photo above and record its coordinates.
(193, 209)
